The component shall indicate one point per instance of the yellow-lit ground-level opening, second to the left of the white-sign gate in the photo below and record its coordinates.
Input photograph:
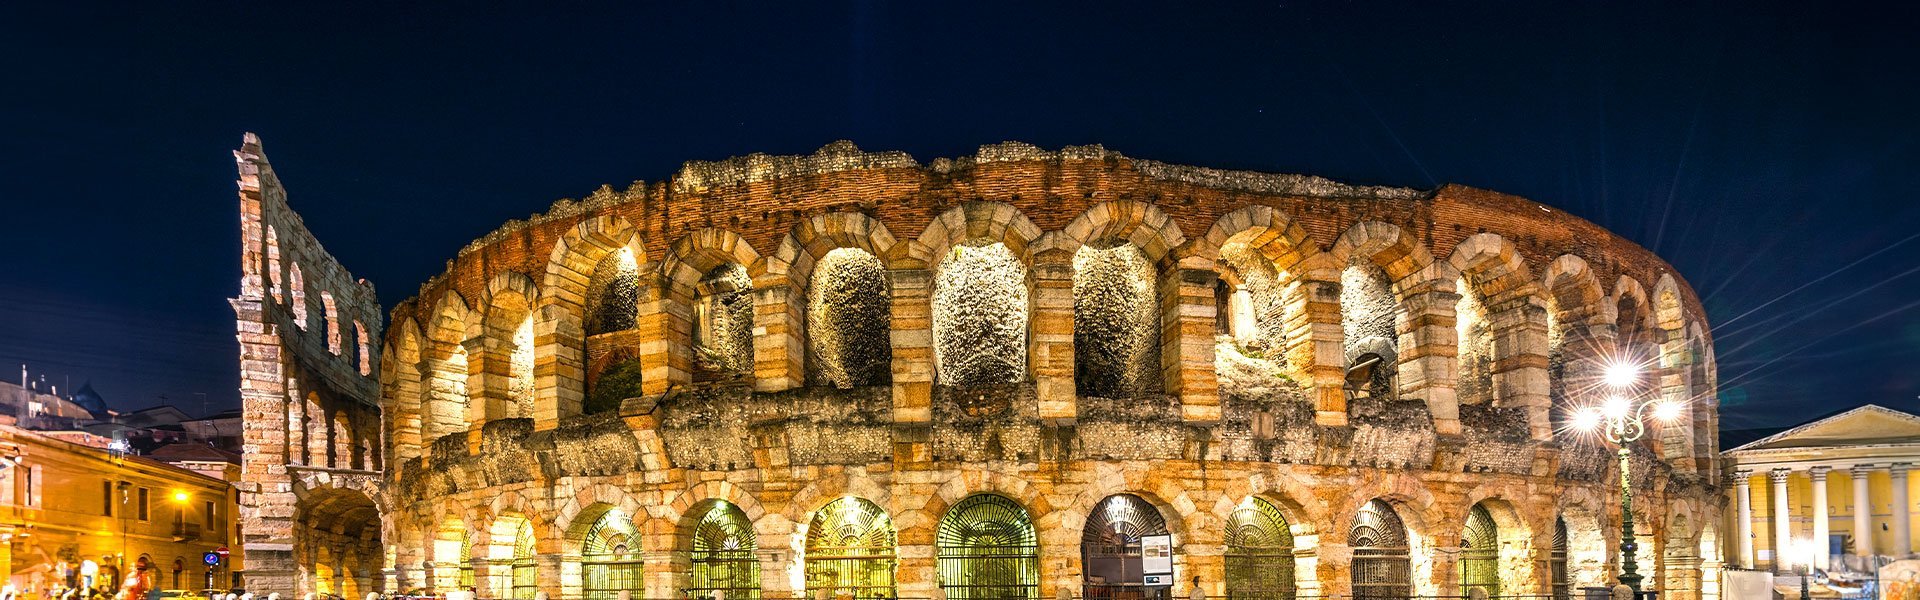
(852, 551)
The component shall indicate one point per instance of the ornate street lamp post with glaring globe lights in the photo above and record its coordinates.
(1623, 422)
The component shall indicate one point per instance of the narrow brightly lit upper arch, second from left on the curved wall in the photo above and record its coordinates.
(446, 368)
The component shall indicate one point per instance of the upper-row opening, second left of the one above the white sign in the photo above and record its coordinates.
(850, 318)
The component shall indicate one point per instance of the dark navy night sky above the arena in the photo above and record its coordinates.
(1767, 151)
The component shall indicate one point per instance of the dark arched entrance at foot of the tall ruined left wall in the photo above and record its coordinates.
(337, 543)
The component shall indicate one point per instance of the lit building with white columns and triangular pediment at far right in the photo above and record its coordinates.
(1833, 491)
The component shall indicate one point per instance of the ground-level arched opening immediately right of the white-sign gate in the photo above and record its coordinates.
(1260, 553)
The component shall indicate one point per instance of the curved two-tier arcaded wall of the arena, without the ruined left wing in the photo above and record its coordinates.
(1044, 326)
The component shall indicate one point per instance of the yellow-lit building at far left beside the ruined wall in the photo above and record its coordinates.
(82, 516)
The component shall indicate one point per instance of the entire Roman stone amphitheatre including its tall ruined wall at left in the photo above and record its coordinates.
(994, 376)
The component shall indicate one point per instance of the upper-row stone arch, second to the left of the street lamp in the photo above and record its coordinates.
(1502, 332)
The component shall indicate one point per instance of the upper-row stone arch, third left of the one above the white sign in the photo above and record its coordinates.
(713, 266)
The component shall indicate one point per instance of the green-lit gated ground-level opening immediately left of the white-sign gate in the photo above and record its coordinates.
(988, 549)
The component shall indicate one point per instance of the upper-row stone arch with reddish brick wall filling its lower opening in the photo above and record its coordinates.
(564, 347)
